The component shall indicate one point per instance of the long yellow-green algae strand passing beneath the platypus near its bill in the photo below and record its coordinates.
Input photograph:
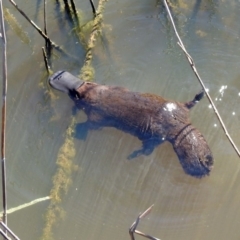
(62, 179)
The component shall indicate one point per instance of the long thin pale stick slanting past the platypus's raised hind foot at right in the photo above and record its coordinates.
(192, 64)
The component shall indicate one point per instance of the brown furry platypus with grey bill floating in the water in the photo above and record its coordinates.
(149, 117)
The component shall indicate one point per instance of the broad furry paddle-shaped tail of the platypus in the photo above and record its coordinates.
(193, 152)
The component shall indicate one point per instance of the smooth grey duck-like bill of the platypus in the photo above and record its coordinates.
(65, 82)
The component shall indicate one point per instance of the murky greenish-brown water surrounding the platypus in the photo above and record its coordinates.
(137, 50)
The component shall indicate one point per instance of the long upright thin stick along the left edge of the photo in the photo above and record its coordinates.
(4, 107)
